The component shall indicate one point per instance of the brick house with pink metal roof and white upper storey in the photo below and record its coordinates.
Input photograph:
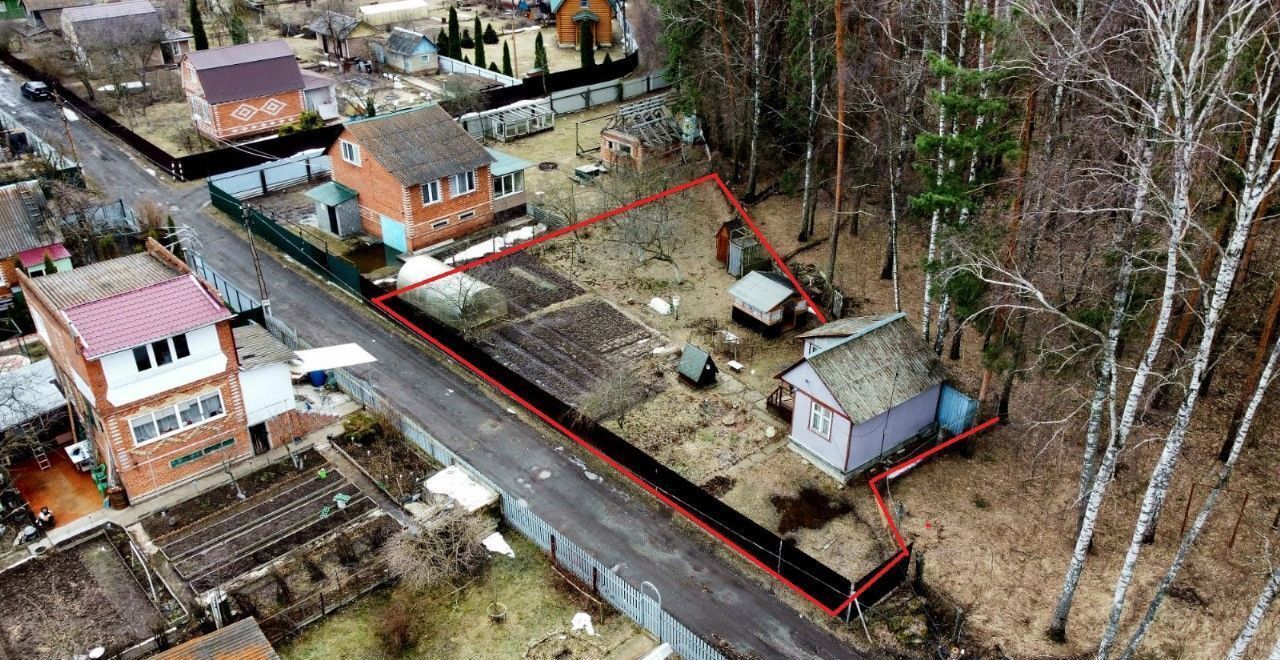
(148, 357)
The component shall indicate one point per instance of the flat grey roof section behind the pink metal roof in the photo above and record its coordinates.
(106, 278)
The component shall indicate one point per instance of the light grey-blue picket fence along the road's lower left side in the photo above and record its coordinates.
(629, 601)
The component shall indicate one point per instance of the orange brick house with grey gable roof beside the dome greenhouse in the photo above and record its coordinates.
(414, 177)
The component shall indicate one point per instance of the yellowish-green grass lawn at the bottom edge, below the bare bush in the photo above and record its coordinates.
(540, 608)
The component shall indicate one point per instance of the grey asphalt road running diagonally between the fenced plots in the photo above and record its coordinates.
(619, 525)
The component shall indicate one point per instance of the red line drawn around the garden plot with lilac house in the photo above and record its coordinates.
(874, 483)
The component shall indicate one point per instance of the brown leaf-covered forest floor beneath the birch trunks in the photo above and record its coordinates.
(998, 529)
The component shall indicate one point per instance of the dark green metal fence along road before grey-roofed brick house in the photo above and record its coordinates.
(321, 260)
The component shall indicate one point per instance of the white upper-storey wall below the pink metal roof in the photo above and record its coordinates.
(126, 384)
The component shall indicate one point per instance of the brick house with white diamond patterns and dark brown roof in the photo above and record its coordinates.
(253, 89)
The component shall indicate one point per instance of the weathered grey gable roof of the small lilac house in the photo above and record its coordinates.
(884, 365)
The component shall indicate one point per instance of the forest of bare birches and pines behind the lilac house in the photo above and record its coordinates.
(1092, 184)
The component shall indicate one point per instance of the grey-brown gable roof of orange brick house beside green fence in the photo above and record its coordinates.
(419, 145)
